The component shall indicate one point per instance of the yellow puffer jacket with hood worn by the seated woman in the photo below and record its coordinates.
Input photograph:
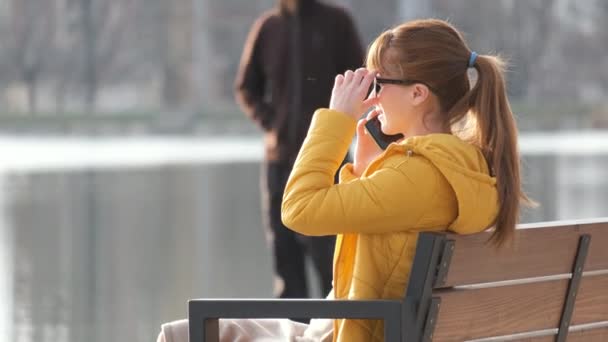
(424, 183)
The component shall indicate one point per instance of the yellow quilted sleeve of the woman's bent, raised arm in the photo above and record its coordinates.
(389, 200)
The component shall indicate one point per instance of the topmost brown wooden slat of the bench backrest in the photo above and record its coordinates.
(534, 253)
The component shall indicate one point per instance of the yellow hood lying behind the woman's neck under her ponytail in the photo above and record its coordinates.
(467, 171)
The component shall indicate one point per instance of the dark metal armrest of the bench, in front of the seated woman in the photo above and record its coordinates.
(203, 314)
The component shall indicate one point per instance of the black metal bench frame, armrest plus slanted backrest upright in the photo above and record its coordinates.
(415, 314)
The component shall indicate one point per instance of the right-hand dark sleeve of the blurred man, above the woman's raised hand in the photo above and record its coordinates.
(351, 52)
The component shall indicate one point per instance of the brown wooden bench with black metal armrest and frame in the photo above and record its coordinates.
(550, 284)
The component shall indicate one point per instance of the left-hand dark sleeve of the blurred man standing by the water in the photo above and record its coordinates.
(250, 83)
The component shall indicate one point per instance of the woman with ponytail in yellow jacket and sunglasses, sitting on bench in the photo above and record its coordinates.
(456, 169)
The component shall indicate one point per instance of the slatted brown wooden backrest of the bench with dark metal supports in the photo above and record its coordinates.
(550, 283)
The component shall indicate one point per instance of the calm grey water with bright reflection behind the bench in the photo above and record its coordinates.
(103, 240)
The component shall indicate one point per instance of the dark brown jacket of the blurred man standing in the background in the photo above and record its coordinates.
(288, 67)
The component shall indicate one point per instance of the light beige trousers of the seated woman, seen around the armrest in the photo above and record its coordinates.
(256, 330)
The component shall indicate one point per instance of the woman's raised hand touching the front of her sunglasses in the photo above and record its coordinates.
(349, 92)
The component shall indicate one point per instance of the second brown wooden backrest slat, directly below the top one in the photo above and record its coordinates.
(498, 311)
